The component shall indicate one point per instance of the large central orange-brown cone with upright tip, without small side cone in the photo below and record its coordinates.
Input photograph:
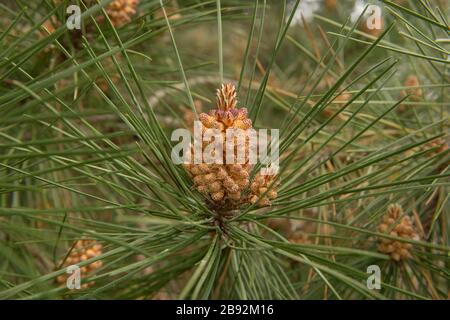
(224, 182)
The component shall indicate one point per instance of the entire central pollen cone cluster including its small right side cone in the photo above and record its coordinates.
(230, 182)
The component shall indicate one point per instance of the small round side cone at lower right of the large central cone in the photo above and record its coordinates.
(263, 190)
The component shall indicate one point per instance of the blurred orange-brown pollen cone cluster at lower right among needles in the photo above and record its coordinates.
(395, 223)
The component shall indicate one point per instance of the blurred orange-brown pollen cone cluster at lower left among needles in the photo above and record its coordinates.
(83, 250)
